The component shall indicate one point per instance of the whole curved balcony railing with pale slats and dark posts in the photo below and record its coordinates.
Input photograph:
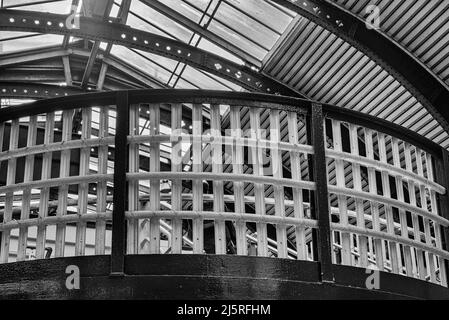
(207, 172)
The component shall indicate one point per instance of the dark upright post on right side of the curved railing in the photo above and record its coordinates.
(321, 194)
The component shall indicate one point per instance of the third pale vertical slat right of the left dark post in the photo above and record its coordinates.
(176, 166)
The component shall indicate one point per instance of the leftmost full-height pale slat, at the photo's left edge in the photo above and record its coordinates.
(9, 197)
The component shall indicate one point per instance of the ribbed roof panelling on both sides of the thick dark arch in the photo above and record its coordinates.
(322, 66)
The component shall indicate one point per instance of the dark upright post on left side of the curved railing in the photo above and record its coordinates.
(120, 186)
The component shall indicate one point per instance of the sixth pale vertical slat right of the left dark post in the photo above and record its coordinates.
(237, 168)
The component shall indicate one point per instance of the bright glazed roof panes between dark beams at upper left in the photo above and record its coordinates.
(251, 25)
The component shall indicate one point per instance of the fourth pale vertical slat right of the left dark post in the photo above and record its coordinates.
(197, 166)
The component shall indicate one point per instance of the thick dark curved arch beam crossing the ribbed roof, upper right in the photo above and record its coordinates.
(430, 91)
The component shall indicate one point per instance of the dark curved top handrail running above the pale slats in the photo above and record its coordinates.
(262, 100)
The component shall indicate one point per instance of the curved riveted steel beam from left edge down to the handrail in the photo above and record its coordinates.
(97, 30)
